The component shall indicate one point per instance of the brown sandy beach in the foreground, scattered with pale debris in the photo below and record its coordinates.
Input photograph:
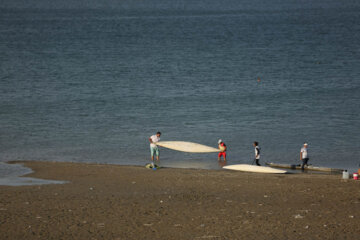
(132, 202)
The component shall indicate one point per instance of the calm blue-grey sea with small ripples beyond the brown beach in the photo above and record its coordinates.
(91, 82)
